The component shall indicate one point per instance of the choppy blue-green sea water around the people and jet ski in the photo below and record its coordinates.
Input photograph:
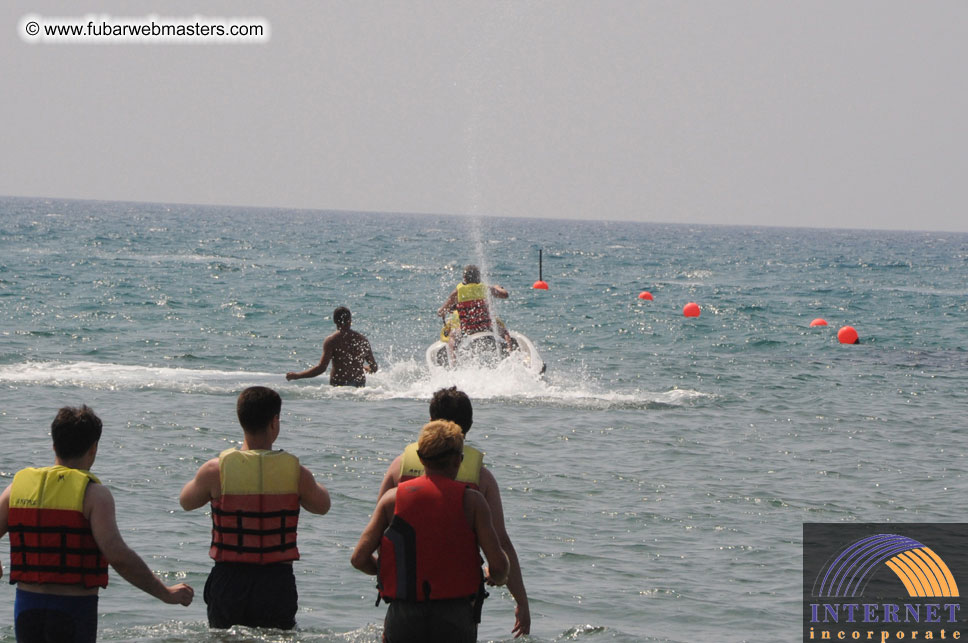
(655, 481)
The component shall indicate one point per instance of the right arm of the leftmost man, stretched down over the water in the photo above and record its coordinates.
(99, 509)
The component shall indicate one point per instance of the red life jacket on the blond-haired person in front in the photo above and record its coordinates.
(429, 552)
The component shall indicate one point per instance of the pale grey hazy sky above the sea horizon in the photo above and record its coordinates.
(822, 114)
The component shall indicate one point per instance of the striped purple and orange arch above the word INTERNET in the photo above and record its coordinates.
(922, 571)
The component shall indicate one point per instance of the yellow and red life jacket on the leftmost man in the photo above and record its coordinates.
(50, 539)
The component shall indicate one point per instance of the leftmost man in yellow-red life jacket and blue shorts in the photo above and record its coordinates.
(63, 536)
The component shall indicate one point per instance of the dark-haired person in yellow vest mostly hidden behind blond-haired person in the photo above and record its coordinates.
(454, 405)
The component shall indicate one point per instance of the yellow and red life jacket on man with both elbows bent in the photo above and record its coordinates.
(254, 520)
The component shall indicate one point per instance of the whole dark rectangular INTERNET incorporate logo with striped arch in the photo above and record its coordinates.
(882, 582)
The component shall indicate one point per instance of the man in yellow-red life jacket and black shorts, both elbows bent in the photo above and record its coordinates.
(255, 494)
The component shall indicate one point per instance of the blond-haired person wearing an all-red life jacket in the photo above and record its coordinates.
(428, 532)
